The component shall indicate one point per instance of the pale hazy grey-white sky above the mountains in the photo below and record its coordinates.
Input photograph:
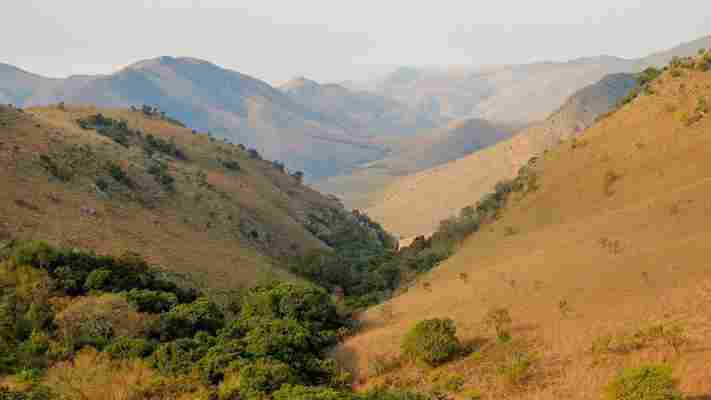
(333, 40)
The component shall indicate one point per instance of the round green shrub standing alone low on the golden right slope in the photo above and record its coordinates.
(432, 341)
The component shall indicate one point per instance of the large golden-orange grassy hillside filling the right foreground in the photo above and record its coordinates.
(602, 264)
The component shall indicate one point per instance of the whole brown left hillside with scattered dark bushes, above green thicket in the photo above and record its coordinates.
(113, 180)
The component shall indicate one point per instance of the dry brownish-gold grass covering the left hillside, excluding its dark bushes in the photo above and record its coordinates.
(197, 230)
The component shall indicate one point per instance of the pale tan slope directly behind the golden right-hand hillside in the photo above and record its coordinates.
(433, 195)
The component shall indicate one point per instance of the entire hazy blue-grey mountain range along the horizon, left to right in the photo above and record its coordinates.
(328, 129)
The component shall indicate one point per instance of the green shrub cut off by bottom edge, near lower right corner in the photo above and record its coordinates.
(649, 382)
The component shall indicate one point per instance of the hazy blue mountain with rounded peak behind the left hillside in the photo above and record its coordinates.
(210, 98)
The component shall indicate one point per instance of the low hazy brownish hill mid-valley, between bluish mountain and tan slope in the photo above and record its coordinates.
(360, 187)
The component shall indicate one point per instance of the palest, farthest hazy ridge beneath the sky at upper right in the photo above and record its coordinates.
(518, 94)
